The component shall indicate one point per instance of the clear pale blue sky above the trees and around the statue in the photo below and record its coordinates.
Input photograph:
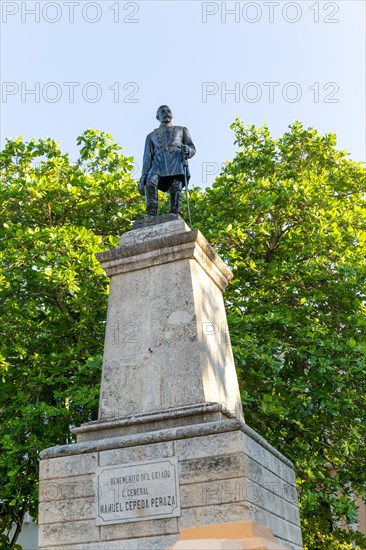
(109, 64)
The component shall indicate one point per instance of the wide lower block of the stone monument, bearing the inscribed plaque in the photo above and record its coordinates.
(140, 490)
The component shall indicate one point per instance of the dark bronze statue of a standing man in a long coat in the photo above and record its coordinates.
(165, 165)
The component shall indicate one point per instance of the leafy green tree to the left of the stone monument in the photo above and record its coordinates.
(55, 216)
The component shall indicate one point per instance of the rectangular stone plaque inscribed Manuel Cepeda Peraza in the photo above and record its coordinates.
(138, 491)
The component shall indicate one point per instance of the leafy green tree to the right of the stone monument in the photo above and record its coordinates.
(288, 215)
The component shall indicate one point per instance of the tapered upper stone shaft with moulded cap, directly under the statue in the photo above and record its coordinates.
(166, 334)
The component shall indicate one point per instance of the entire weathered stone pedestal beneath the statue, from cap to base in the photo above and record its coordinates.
(170, 449)
